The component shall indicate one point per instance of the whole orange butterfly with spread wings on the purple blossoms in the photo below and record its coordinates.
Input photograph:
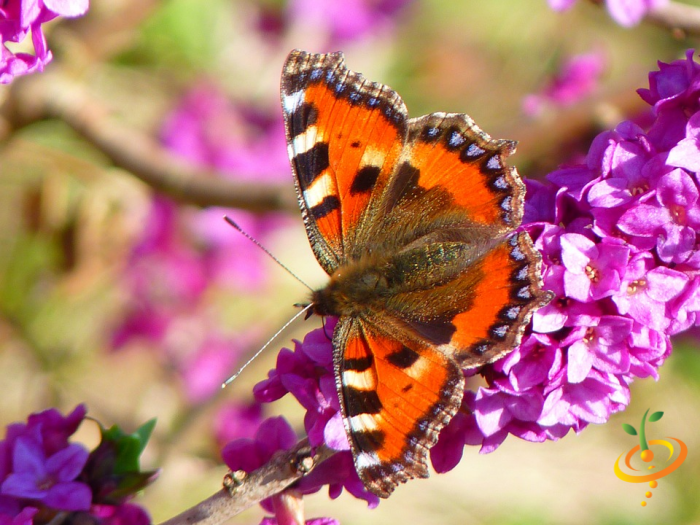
(414, 221)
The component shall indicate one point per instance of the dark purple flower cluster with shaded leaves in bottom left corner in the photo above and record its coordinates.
(42, 475)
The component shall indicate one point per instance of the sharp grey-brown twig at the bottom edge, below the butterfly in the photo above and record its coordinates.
(280, 472)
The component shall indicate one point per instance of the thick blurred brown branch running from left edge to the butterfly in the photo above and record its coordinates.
(54, 95)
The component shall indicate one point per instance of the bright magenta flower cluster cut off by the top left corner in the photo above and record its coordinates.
(17, 18)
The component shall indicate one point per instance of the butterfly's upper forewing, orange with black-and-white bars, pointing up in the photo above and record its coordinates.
(345, 135)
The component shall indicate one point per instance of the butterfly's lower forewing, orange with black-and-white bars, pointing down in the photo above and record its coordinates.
(395, 398)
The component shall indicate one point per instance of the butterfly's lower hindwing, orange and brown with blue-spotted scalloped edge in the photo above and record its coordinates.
(483, 310)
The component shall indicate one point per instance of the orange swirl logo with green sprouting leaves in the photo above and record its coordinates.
(646, 454)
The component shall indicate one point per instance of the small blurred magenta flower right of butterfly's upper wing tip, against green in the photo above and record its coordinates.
(577, 79)
